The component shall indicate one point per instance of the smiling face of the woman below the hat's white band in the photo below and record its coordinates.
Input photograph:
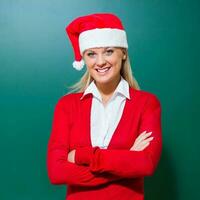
(104, 64)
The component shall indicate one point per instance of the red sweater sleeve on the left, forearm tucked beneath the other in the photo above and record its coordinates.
(60, 170)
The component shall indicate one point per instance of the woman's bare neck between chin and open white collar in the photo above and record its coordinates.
(108, 88)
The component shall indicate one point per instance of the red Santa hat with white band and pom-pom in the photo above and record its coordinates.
(95, 30)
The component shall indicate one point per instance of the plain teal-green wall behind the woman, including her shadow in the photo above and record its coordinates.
(35, 71)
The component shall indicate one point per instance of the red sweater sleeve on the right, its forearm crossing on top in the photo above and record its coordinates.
(126, 163)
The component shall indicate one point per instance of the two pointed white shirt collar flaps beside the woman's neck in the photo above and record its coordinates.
(122, 88)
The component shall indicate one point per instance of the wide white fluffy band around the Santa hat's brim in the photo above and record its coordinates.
(102, 37)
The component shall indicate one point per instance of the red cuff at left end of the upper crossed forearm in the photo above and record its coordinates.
(83, 155)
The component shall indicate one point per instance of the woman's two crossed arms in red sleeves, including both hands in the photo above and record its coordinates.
(93, 166)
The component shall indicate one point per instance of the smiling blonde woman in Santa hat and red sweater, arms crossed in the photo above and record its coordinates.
(106, 137)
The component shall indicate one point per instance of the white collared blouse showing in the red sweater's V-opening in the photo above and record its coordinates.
(104, 119)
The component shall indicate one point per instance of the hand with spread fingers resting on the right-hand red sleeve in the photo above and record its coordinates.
(142, 141)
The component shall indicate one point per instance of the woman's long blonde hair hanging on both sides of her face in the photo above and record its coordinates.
(126, 73)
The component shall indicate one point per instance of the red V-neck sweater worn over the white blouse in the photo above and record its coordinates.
(104, 174)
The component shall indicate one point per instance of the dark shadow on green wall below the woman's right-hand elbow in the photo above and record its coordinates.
(162, 185)
